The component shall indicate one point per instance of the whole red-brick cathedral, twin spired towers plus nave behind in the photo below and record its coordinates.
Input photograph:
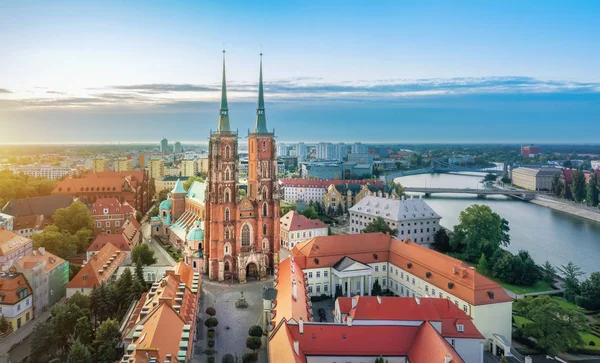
(240, 233)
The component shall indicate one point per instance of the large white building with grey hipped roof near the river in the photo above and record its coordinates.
(413, 218)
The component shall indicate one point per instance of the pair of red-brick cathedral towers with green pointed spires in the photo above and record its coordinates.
(241, 238)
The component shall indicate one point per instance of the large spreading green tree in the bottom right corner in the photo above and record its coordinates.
(554, 328)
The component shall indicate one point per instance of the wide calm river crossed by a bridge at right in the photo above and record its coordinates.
(547, 234)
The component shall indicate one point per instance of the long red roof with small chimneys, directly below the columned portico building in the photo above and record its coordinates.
(411, 309)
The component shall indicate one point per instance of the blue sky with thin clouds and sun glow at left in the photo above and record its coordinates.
(385, 71)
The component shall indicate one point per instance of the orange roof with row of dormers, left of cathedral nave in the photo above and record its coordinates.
(93, 273)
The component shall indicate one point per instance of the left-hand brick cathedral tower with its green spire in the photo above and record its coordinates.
(221, 197)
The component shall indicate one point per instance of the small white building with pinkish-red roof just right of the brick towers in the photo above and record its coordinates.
(296, 228)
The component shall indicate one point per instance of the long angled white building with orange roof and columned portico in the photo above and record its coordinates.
(353, 263)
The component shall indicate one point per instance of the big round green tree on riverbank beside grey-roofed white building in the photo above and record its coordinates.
(480, 230)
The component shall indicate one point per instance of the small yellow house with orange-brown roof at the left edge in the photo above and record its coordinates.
(16, 298)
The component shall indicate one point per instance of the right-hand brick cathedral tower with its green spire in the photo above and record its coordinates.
(263, 187)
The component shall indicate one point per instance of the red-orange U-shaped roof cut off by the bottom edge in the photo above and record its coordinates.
(422, 344)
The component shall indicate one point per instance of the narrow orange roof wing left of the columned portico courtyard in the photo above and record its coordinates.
(286, 306)
